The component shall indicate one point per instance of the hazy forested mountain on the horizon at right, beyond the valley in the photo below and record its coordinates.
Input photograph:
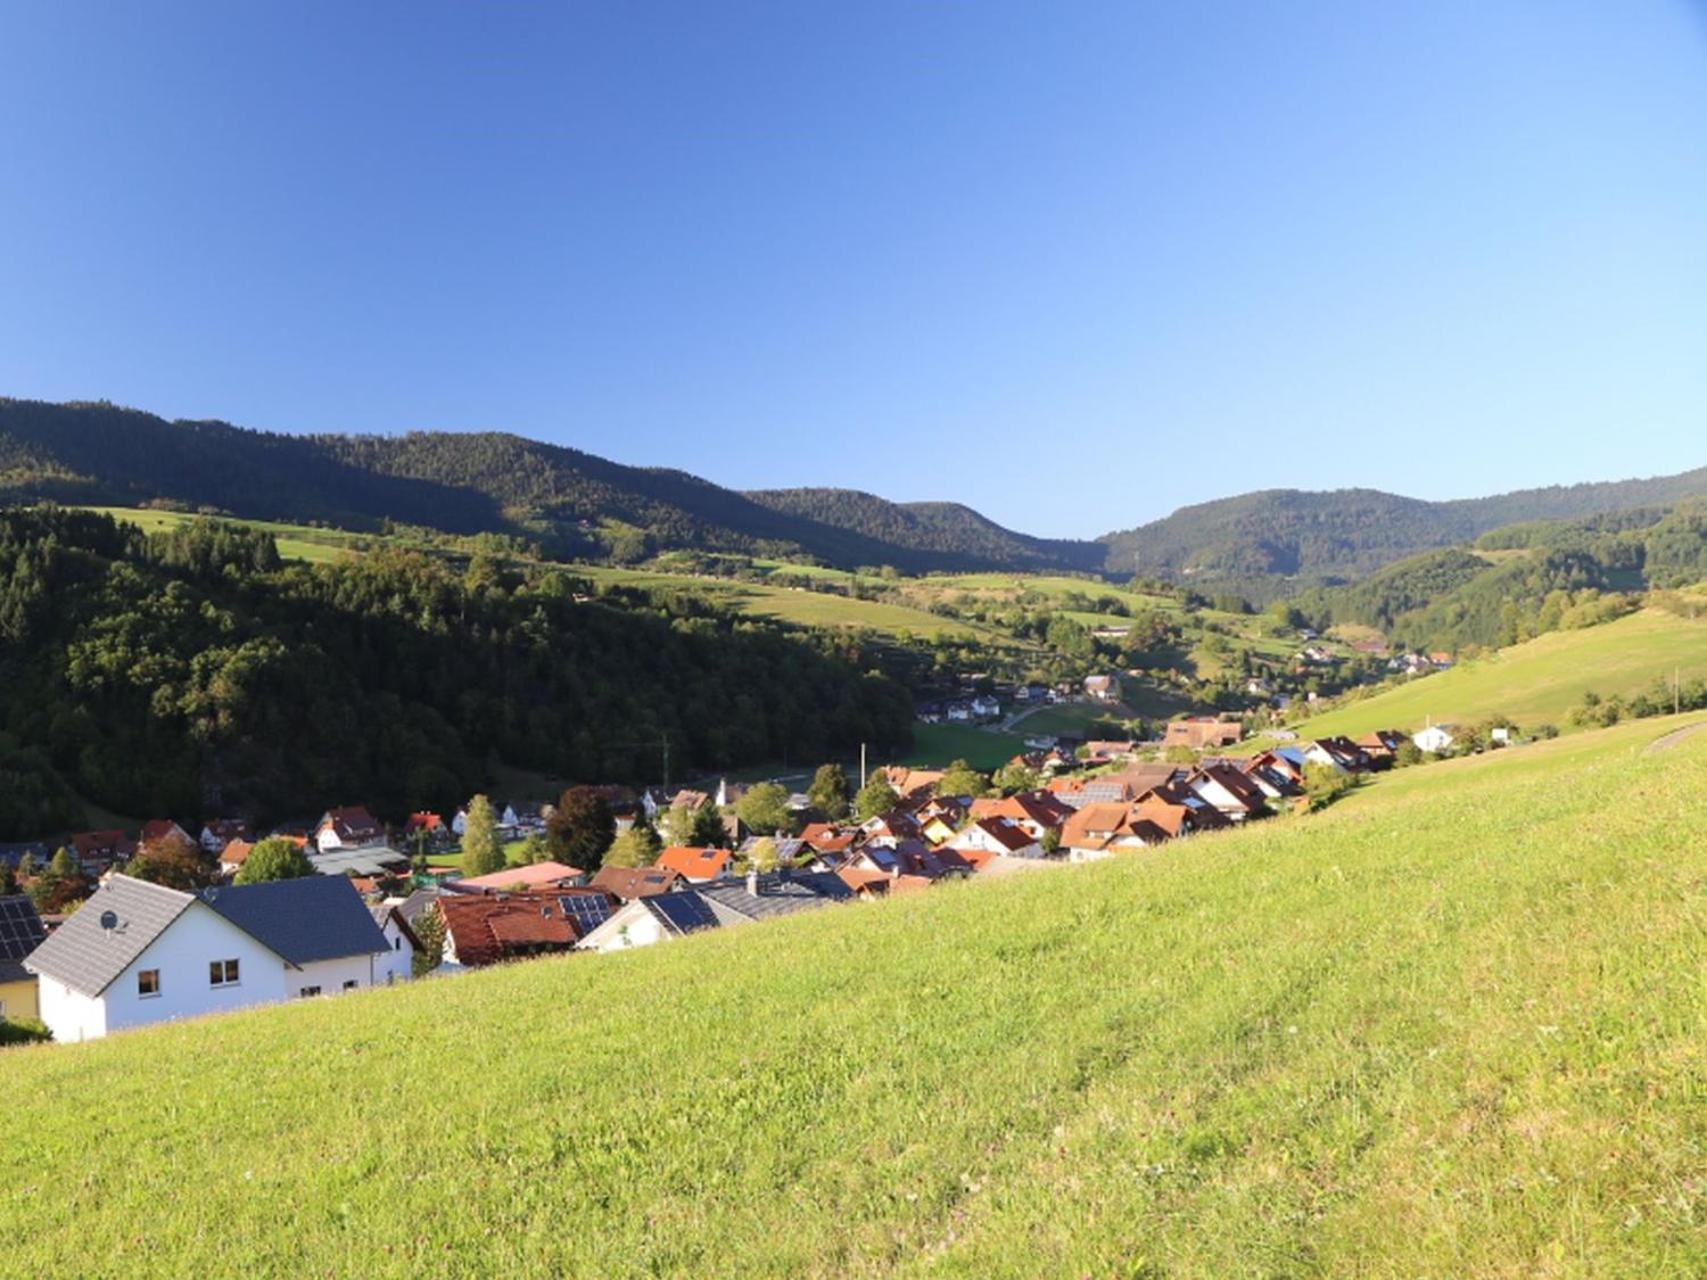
(1349, 533)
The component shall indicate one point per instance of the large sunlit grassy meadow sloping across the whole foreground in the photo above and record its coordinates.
(1454, 1027)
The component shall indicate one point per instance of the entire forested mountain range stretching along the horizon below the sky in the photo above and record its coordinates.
(581, 504)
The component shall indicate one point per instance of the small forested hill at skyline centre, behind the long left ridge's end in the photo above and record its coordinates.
(931, 528)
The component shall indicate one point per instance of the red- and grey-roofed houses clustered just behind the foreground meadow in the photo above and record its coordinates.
(141, 953)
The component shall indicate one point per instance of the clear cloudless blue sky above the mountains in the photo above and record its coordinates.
(1071, 264)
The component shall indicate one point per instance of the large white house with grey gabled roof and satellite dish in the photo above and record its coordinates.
(141, 953)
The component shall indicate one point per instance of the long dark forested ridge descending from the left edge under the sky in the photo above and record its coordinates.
(576, 504)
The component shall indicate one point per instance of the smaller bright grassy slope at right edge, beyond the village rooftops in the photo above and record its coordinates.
(1537, 682)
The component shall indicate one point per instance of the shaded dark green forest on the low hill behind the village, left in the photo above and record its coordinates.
(192, 673)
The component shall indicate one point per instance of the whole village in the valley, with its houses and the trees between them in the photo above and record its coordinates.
(119, 929)
